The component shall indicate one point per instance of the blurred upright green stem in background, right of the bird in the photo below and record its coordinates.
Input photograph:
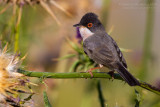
(147, 40)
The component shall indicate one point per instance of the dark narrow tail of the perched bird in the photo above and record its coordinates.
(127, 76)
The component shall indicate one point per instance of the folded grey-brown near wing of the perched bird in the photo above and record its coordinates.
(99, 52)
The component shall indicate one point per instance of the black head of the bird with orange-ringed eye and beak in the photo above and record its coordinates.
(91, 21)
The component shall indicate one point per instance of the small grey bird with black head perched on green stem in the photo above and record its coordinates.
(102, 48)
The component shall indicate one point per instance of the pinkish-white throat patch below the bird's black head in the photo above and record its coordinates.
(85, 32)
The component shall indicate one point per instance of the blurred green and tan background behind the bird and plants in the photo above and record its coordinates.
(135, 26)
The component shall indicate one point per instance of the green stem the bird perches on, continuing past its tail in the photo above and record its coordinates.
(72, 75)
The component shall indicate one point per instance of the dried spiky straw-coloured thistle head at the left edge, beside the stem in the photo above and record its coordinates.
(12, 83)
